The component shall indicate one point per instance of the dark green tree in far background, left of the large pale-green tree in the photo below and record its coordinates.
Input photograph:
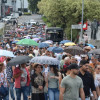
(33, 5)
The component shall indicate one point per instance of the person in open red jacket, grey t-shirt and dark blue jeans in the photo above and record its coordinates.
(22, 80)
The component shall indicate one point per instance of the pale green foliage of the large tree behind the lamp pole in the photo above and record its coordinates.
(64, 13)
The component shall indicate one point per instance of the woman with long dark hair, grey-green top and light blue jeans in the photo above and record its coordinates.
(53, 83)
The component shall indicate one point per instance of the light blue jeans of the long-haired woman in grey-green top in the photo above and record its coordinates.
(53, 93)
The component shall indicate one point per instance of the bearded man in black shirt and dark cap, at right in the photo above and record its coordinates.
(88, 80)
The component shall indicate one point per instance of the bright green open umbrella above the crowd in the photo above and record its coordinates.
(27, 42)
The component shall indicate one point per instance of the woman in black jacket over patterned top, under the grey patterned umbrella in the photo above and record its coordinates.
(38, 83)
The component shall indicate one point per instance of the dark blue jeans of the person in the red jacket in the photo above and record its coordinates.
(21, 90)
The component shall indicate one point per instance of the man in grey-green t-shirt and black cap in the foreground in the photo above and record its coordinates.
(72, 85)
